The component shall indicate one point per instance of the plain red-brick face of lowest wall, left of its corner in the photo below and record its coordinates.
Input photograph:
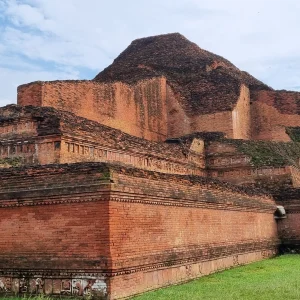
(55, 237)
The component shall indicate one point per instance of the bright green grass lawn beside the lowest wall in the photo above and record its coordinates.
(277, 278)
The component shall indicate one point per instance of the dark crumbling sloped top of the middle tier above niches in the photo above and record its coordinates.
(53, 121)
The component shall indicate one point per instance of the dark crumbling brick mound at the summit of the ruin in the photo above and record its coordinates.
(205, 82)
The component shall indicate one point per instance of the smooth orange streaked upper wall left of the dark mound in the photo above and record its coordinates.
(139, 110)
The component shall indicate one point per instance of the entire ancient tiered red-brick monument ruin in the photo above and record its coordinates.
(171, 164)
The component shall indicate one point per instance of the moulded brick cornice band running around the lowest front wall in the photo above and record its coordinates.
(96, 193)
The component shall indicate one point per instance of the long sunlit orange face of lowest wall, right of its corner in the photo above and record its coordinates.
(168, 237)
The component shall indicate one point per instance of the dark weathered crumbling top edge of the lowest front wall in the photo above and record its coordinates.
(89, 170)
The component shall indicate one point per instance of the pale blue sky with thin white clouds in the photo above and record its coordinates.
(75, 39)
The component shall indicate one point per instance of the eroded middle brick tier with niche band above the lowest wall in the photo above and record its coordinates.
(43, 136)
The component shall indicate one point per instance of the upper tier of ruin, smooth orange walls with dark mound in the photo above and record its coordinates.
(165, 86)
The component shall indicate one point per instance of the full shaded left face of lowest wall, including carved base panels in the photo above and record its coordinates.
(54, 219)
